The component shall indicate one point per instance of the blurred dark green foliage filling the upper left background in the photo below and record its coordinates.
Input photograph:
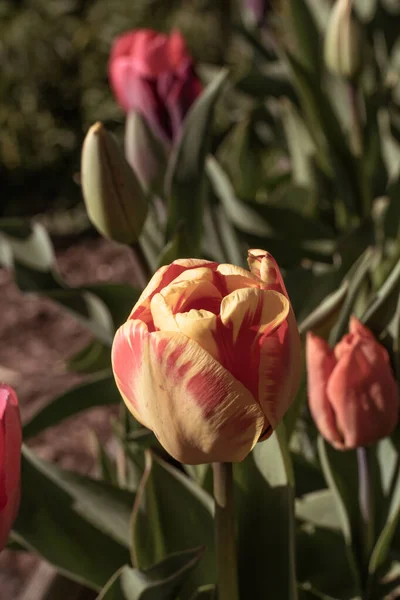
(54, 83)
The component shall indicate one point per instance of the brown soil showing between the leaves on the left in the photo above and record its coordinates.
(36, 339)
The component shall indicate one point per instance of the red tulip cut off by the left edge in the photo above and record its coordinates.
(10, 460)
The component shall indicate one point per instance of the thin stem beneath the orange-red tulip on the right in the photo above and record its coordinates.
(366, 501)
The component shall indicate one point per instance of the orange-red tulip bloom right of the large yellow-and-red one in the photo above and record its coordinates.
(352, 393)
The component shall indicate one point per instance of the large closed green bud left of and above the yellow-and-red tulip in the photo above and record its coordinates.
(115, 202)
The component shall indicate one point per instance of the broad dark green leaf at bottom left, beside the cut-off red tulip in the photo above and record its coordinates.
(49, 523)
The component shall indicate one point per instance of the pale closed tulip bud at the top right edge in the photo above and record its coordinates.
(343, 41)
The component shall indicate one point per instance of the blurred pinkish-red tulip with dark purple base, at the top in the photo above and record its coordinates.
(153, 74)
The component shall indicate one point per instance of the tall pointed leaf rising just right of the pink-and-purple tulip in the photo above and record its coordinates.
(185, 179)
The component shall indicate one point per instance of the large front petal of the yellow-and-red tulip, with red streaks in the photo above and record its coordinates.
(197, 410)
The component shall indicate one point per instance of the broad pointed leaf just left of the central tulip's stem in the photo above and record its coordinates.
(173, 514)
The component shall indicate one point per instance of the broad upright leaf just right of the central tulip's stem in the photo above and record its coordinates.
(265, 515)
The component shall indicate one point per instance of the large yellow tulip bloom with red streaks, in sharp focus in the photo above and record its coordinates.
(209, 358)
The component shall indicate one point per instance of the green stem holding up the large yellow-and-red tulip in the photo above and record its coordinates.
(225, 532)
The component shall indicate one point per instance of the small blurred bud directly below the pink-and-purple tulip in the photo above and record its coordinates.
(144, 152)
